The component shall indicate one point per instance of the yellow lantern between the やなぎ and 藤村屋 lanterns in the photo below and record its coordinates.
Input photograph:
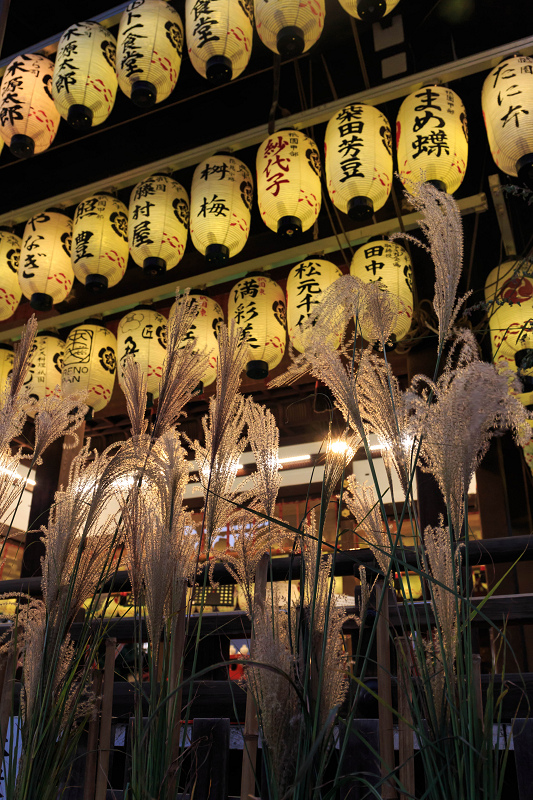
(100, 241)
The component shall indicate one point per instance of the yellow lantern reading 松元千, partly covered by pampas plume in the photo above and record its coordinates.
(306, 284)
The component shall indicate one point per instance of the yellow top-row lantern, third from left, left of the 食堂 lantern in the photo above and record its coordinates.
(149, 48)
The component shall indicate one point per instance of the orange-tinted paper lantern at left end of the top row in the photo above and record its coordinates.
(28, 116)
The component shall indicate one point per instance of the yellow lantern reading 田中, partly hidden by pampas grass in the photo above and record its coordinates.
(389, 264)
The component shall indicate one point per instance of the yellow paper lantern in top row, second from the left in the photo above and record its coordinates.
(84, 85)
